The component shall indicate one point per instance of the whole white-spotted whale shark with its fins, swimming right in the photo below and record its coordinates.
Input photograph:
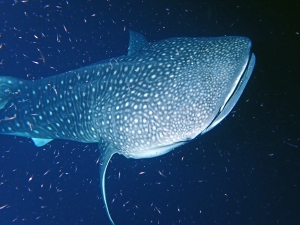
(141, 105)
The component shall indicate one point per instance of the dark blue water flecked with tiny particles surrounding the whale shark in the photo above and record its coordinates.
(244, 171)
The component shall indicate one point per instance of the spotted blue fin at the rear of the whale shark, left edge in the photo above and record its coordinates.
(8, 87)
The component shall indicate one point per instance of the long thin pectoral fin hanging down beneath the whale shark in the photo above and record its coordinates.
(106, 152)
